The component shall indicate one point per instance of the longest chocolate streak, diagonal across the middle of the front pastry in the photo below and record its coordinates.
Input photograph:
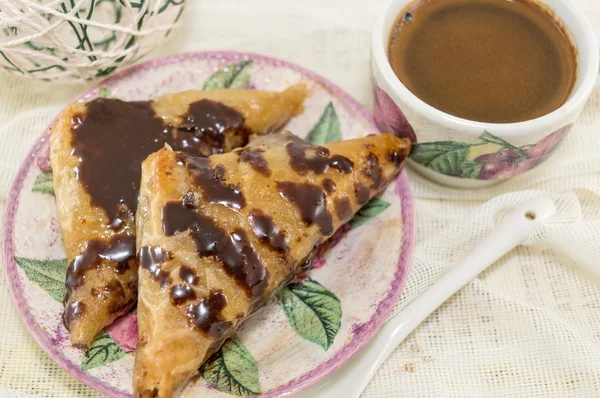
(234, 250)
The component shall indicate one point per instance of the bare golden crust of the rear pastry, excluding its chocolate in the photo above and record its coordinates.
(104, 293)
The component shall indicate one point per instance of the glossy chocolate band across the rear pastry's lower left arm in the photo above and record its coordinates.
(120, 249)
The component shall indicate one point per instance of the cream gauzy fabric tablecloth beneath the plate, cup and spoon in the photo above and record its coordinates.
(529, 326)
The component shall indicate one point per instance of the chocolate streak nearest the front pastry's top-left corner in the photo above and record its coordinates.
(211, 182)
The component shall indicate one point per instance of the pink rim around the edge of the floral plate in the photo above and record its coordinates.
(362, 334)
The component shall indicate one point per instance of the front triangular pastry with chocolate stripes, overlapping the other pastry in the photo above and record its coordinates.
(218, 236)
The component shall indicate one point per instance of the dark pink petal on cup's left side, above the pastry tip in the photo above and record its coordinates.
(389, 117)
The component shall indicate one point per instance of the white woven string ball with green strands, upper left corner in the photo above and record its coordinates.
(81, 39)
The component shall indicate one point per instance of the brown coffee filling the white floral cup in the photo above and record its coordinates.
(497, 61)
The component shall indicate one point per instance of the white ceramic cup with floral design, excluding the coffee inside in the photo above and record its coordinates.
(466, 153)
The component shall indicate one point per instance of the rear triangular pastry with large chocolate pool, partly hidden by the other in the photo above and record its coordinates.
(96, 154)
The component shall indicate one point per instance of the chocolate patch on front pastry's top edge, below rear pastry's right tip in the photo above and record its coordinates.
(319, 163)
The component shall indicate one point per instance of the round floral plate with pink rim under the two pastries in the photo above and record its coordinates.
(314, 325)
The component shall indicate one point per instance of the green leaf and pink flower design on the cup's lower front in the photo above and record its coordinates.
(491, 158)
